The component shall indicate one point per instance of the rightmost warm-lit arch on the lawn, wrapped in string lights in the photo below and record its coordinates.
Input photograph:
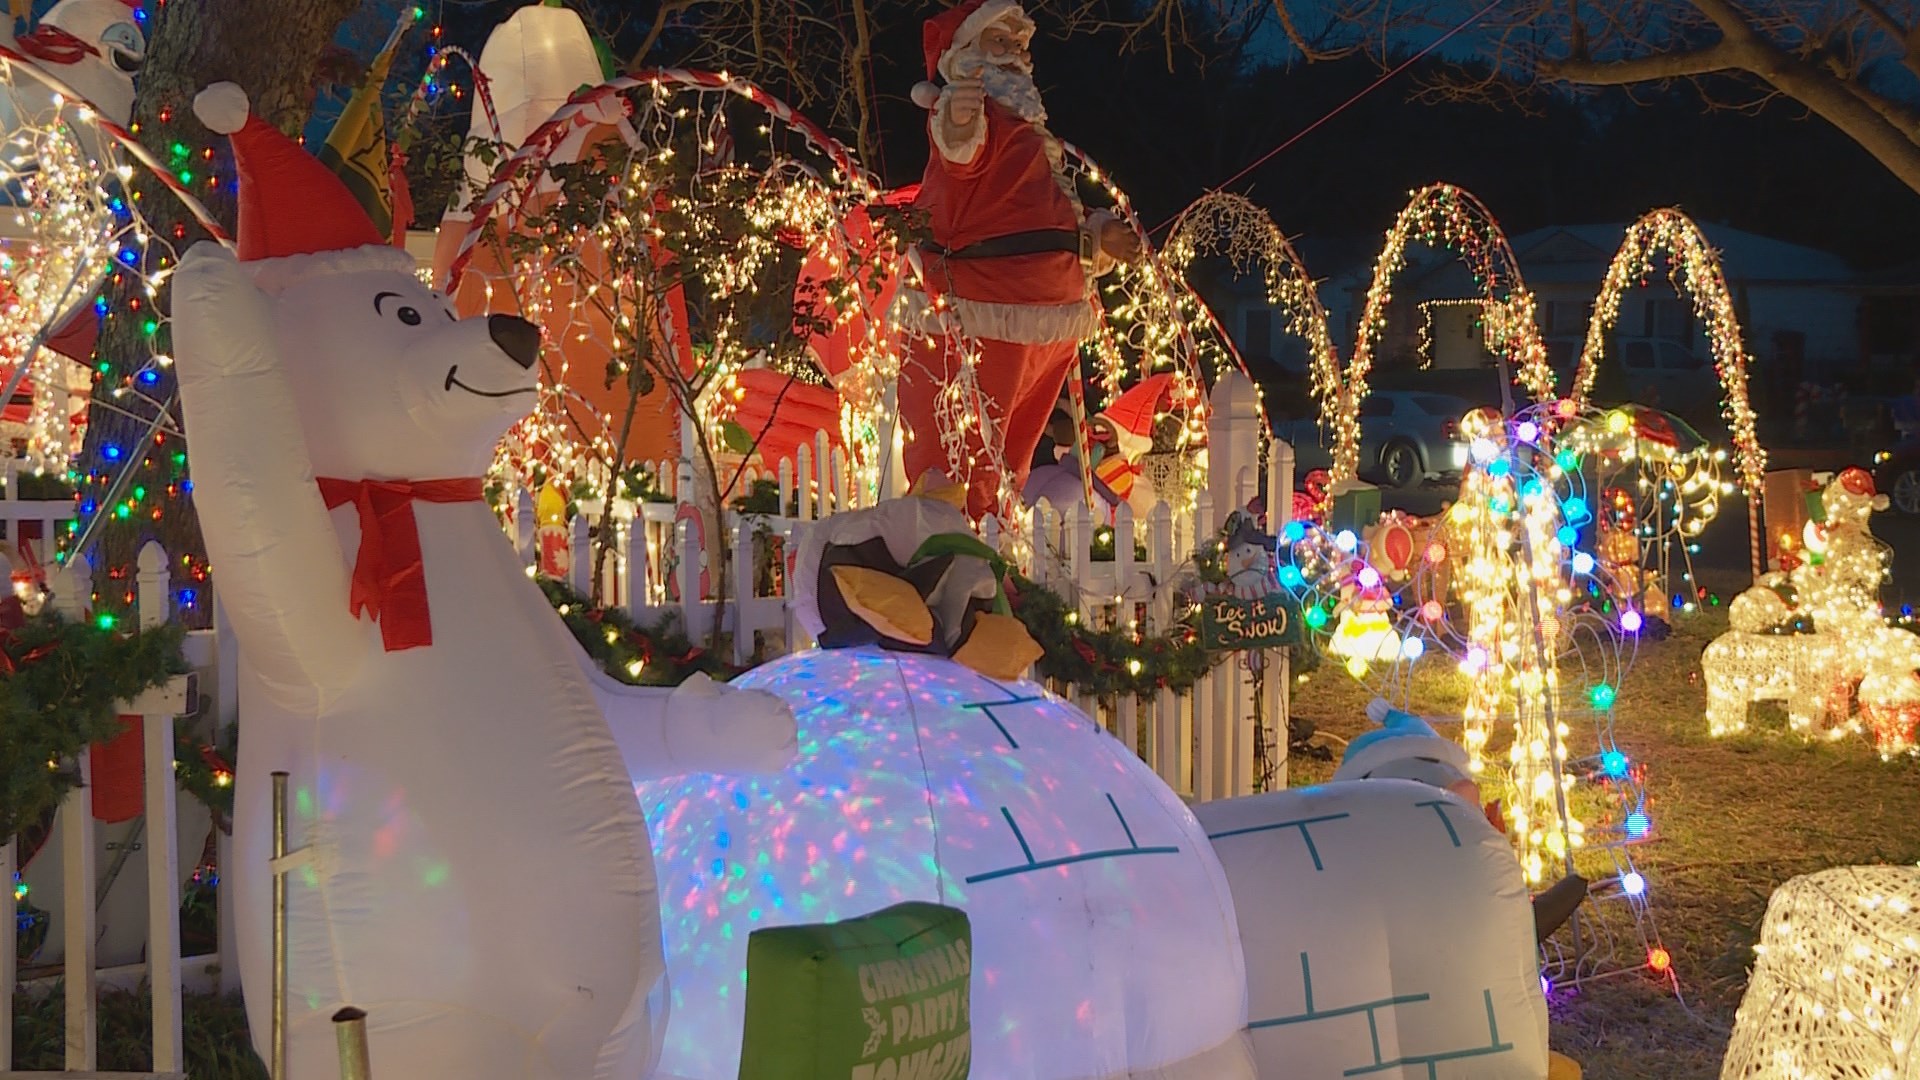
(1694, 270)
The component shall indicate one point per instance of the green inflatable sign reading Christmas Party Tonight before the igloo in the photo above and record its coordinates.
(873, 998)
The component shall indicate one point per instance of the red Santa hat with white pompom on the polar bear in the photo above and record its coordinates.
(297, 218)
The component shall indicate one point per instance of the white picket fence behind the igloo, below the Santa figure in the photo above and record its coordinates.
(1201, 741)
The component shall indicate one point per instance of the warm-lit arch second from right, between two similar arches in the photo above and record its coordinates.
(1452, 218)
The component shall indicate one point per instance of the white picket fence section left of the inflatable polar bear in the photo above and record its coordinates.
(80, 854)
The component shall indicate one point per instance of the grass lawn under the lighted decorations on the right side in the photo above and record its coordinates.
(1733, 820)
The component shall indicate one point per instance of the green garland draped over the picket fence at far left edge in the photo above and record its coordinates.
(59, 695)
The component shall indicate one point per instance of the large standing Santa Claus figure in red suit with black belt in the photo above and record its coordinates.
(1011, 268)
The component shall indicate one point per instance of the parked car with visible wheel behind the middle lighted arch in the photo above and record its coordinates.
(1404, 437)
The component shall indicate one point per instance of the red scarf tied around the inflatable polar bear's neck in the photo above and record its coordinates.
(389, 576)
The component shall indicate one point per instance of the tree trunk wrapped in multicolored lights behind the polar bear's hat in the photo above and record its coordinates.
(270, 49)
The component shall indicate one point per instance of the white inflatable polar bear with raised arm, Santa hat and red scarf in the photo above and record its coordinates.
(446, 741)
